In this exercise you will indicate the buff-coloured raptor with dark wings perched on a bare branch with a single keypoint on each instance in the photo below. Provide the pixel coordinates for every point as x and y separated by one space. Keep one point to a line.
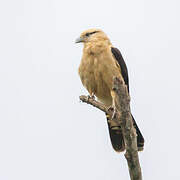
100 63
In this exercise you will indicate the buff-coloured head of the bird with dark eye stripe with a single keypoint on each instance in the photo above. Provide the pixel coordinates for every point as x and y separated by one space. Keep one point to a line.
92 36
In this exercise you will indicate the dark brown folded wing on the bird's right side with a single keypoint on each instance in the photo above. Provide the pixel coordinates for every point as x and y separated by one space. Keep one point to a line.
121 62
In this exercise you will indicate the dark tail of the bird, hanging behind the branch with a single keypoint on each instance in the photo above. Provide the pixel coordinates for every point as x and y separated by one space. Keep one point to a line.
117 139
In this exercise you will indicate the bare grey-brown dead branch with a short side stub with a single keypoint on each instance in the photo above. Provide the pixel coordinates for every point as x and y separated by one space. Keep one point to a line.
124 119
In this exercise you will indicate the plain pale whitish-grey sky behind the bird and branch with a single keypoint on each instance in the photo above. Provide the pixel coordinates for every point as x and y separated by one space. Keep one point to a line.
45 132
